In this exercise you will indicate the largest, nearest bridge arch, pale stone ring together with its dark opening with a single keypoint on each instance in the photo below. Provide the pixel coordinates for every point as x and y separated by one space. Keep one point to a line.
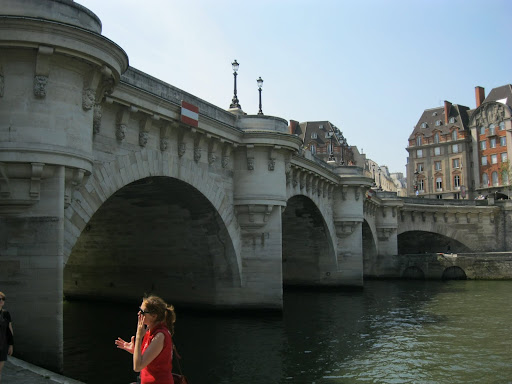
179 219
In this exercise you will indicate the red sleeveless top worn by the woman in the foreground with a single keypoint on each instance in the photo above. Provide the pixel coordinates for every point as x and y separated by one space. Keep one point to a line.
159 371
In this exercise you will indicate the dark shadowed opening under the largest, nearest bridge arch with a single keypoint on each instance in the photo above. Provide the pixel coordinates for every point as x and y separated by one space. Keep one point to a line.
155 235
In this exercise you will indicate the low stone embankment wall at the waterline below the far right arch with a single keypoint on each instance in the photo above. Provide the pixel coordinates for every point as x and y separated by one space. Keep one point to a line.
439 266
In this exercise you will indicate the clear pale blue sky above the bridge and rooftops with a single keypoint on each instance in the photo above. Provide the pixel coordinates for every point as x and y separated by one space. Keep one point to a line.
370 67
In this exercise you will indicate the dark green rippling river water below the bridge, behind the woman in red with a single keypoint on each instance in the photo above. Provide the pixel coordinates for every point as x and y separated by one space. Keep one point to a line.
389 332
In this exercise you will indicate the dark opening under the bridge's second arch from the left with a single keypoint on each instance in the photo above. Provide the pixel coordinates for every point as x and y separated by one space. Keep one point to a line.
308 252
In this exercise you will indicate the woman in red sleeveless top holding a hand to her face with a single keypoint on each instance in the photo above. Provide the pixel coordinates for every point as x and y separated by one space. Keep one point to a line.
152 345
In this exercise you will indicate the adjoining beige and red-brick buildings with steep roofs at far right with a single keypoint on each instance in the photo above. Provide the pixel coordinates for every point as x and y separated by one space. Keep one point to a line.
459 153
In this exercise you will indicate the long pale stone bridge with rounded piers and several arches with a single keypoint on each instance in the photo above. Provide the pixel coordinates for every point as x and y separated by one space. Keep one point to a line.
114 184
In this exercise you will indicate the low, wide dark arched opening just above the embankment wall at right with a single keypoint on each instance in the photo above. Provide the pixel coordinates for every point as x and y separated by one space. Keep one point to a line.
416 242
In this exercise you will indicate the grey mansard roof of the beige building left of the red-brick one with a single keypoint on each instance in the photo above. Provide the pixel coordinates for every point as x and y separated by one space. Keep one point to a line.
434 120
